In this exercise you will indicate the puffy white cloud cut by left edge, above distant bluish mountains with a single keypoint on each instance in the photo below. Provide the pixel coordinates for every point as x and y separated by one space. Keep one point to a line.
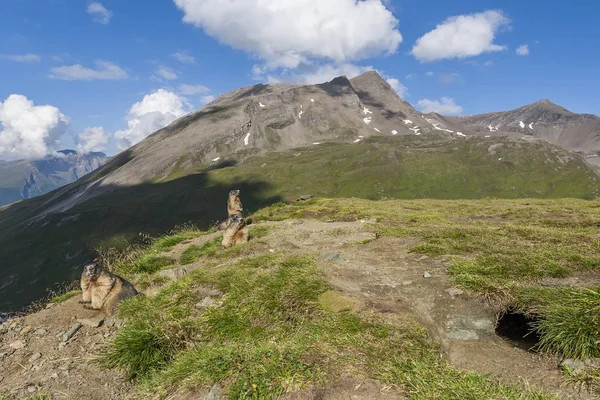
29 131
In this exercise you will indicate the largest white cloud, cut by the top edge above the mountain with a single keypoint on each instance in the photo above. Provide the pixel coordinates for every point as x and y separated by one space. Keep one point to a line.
289 33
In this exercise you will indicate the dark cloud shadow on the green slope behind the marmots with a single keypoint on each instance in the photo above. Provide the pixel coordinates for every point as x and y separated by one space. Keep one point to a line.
53 250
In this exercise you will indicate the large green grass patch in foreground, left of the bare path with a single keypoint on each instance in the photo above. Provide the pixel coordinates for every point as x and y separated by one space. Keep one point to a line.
268 336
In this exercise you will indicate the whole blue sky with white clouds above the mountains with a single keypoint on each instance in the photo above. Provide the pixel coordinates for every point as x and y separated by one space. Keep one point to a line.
94 62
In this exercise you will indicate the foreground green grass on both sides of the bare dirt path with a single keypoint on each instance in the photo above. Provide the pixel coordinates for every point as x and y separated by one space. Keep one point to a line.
273 330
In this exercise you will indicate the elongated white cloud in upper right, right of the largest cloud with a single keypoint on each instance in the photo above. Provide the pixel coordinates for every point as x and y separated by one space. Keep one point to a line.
461 37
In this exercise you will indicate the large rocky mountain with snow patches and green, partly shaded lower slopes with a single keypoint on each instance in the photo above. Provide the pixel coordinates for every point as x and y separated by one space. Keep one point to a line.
343 138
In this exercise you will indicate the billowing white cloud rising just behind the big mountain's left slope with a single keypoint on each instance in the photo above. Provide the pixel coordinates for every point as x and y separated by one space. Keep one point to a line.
153 112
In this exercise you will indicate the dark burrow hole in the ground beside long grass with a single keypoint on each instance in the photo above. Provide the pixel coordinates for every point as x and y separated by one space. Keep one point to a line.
517 329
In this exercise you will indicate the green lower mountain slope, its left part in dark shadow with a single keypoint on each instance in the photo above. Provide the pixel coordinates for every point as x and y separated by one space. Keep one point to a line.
42 252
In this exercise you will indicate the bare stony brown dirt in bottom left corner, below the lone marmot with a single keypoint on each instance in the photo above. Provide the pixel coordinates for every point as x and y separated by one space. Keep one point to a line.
35 359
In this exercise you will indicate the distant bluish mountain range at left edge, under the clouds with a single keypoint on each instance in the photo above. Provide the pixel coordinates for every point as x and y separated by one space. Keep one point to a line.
24 179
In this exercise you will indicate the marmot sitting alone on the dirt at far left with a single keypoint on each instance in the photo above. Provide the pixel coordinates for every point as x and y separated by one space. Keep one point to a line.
103 289
